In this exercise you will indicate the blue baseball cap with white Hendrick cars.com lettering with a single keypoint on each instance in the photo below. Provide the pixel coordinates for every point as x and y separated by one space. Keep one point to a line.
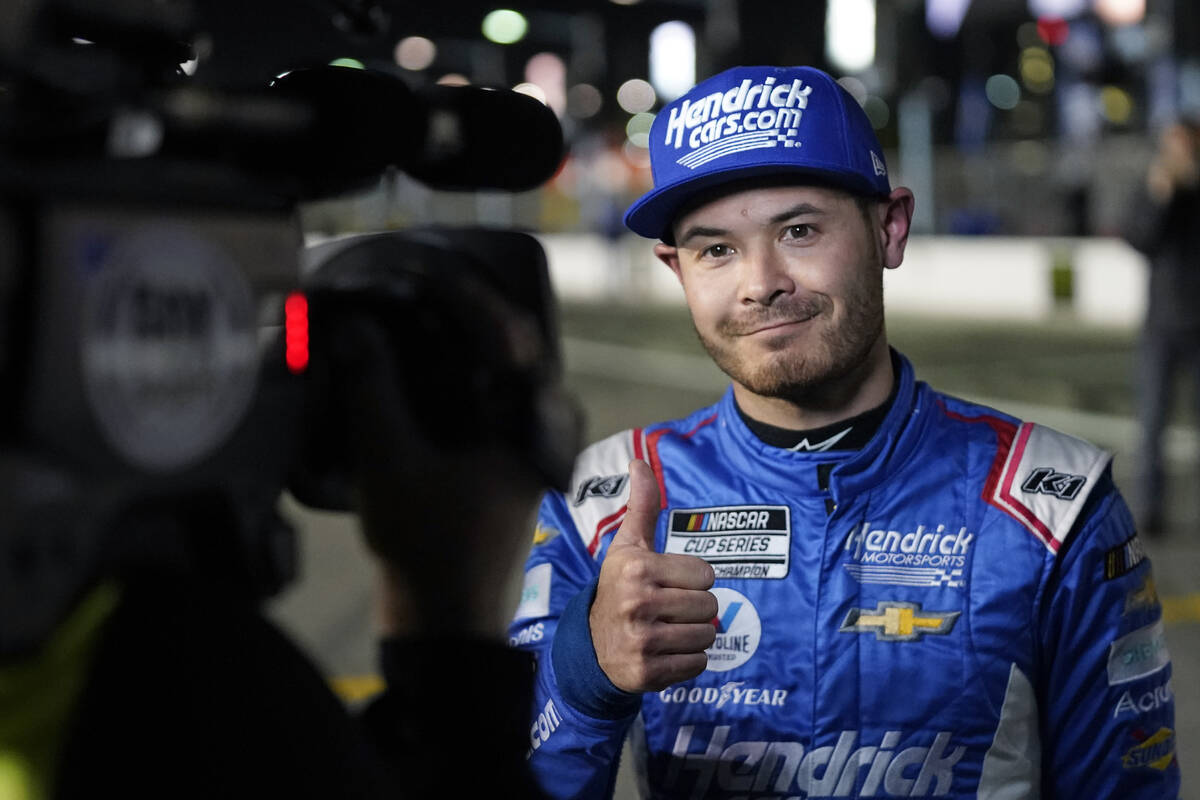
758 123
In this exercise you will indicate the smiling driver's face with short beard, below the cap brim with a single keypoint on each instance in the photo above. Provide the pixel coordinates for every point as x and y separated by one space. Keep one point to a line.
785 286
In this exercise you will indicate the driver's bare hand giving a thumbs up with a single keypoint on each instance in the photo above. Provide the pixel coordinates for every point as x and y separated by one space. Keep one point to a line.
652 618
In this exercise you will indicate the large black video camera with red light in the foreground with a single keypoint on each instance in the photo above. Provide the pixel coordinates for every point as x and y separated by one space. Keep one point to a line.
155 405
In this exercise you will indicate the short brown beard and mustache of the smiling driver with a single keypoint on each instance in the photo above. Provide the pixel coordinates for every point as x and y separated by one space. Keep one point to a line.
802 376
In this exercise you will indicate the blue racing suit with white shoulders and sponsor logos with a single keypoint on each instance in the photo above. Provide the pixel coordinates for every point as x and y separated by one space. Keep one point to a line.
962 609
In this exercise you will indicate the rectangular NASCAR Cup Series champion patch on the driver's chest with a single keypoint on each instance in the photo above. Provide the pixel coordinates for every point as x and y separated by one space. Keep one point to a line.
739 542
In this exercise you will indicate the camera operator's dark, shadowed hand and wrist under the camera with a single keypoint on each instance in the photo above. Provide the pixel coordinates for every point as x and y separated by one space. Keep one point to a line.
451 527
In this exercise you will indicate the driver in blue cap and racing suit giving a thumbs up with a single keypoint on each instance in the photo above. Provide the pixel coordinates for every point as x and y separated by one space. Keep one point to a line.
835 582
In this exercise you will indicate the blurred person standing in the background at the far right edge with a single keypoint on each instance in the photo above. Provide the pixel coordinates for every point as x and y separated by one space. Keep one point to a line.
1165 224
